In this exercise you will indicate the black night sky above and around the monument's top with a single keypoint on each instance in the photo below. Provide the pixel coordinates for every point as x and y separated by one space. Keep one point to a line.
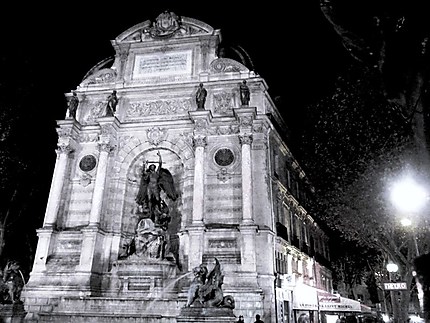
48 49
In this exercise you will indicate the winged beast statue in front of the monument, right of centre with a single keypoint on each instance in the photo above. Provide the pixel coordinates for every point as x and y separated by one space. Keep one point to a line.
207 289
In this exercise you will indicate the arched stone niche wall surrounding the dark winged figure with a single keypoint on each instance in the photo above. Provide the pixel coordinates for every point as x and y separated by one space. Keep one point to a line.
177 157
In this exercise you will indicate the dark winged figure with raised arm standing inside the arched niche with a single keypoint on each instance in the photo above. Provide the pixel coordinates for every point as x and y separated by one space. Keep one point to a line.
150 204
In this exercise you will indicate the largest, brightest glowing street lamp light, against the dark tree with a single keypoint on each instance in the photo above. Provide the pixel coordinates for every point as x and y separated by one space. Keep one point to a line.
408 196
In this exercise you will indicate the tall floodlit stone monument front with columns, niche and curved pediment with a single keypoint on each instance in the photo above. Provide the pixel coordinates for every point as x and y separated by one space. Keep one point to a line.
161 167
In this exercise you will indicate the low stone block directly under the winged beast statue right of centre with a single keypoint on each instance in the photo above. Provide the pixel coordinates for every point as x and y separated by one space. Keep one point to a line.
206 314
